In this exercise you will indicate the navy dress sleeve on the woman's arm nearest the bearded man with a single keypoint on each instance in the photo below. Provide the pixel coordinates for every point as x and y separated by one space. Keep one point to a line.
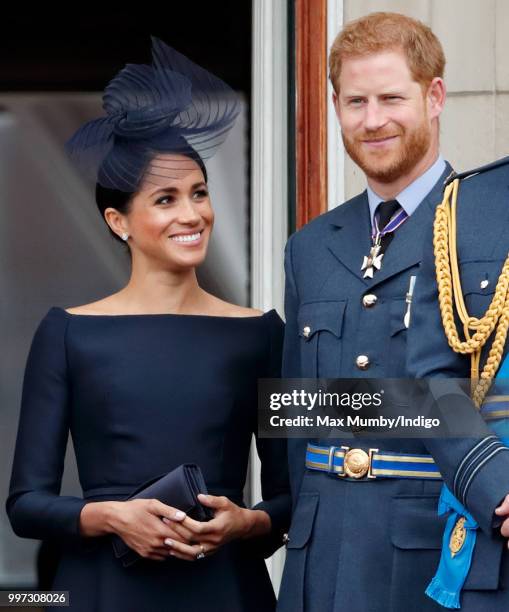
273 456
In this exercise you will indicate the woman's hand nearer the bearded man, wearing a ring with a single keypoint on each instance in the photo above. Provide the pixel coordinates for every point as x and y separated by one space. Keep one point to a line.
230 522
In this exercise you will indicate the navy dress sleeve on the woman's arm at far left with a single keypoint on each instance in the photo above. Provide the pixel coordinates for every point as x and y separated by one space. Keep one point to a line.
34 506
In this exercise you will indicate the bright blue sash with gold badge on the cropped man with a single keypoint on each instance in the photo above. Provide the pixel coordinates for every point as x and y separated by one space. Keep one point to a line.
461 528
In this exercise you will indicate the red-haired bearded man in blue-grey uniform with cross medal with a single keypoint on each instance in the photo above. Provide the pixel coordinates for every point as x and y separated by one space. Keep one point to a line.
359 543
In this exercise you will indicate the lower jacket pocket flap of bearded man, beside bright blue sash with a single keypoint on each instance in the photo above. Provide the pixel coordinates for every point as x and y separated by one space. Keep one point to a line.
415 523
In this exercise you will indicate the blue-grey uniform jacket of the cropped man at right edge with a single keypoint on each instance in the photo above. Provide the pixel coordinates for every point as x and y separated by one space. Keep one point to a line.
476 471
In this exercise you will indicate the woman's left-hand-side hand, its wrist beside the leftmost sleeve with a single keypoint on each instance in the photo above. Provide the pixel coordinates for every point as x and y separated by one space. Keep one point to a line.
138 522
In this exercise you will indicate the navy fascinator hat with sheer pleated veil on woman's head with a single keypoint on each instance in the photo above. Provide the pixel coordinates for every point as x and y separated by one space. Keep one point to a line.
160 119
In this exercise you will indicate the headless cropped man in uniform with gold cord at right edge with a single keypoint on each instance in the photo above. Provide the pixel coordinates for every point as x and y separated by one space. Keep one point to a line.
476 470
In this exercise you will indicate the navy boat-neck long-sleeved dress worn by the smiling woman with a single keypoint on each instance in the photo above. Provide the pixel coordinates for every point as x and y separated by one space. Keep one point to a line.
140 395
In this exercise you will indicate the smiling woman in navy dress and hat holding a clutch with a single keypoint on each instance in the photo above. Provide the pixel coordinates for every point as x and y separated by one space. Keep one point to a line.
159 374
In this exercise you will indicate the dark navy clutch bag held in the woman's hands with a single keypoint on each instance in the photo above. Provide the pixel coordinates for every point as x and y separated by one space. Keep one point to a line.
179 488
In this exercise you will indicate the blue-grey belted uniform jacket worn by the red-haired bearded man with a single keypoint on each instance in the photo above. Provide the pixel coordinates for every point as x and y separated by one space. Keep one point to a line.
365 545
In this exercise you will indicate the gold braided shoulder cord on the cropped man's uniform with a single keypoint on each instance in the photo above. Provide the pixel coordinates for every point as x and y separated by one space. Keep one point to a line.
476 331
